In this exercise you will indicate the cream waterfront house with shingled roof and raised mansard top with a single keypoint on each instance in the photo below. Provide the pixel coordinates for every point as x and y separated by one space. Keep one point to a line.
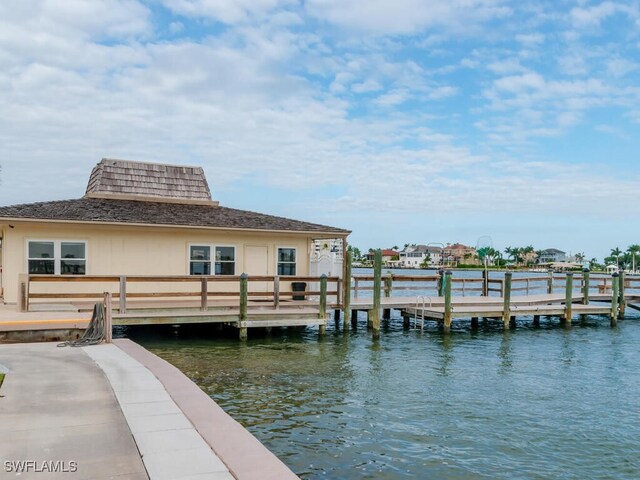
141 218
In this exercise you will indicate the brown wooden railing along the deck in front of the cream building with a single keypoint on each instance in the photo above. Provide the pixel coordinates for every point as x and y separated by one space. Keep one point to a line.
272 289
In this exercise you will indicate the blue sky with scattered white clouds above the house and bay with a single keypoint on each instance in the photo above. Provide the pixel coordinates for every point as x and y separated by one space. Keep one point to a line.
406 121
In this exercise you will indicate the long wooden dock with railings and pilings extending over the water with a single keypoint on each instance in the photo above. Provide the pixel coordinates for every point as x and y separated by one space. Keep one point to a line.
248 302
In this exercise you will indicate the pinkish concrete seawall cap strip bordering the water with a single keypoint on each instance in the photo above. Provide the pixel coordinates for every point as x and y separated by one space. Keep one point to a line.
243 454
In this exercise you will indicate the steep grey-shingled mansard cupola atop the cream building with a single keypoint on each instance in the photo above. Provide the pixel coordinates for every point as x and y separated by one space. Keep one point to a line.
126 179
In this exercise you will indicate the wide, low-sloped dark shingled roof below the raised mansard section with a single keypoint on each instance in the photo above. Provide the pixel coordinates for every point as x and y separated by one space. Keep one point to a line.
100 210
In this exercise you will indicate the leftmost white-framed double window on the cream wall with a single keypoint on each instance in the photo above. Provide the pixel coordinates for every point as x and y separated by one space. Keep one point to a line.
56 257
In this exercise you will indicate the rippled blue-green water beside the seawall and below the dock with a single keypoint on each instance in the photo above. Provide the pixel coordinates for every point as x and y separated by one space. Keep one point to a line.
534 402
